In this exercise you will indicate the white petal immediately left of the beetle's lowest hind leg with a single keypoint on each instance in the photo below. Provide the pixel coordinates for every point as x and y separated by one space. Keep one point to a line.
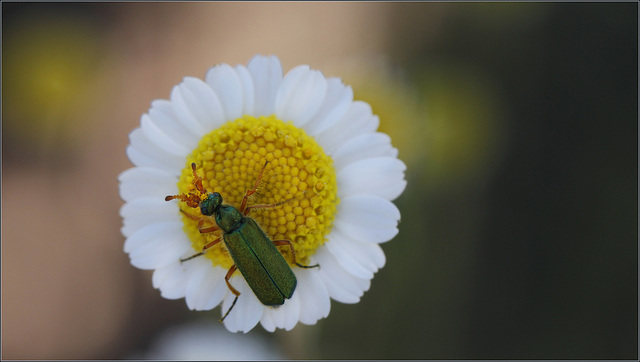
206 286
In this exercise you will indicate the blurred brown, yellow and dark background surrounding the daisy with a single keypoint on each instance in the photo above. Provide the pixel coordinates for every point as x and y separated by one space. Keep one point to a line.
518 123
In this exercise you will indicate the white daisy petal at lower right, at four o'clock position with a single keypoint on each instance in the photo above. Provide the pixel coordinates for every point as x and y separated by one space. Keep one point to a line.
358 258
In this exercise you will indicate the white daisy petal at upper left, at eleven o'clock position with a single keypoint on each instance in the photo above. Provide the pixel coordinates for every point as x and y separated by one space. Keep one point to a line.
197 106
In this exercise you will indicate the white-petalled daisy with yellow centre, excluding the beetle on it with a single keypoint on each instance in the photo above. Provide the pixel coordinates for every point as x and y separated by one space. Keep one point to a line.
302 143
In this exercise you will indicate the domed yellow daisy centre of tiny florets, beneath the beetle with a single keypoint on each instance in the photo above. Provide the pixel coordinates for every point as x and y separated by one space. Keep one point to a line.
229 160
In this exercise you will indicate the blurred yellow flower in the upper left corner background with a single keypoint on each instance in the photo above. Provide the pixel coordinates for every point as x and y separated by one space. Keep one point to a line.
49 69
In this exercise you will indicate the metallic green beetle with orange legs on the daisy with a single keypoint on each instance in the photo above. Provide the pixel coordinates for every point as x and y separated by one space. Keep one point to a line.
253 253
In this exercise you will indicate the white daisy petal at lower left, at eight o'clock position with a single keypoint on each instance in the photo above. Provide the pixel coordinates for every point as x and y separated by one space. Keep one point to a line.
157 245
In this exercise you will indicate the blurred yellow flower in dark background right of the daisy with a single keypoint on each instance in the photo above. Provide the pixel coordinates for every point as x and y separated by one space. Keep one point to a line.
465 128
